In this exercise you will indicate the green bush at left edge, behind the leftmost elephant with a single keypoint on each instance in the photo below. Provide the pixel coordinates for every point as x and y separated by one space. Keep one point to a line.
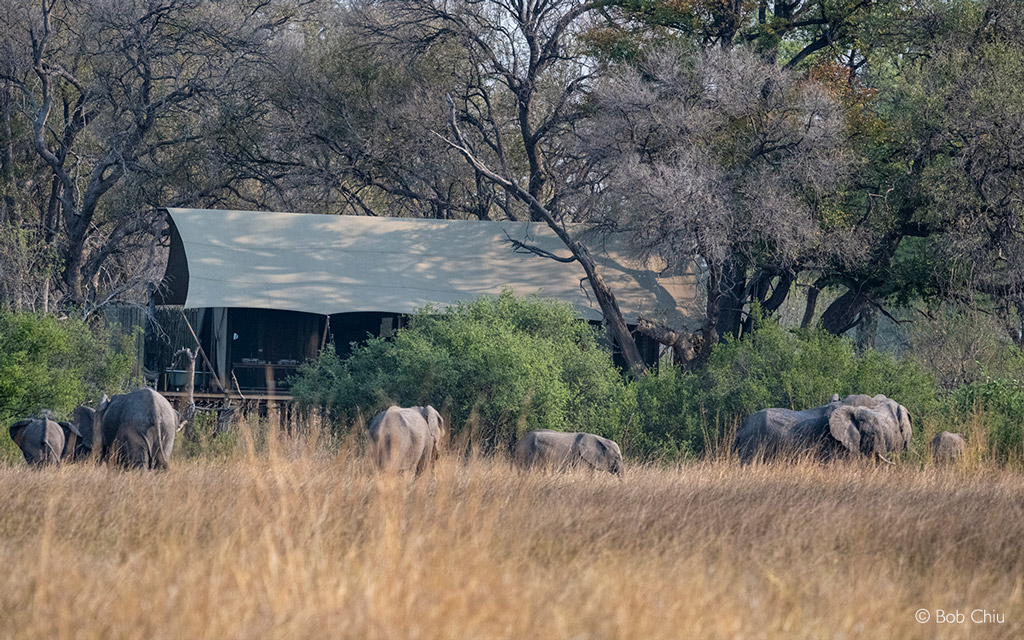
57 364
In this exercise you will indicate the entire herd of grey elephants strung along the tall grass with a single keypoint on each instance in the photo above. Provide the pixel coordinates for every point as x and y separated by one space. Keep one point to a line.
138 431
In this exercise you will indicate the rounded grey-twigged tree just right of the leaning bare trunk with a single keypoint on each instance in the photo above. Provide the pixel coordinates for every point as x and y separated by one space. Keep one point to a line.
722 159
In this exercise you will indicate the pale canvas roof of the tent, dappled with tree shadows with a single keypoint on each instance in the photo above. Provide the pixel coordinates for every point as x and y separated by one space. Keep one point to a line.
332 265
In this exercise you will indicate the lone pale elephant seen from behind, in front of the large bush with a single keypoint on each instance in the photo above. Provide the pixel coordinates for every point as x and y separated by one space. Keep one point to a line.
406 440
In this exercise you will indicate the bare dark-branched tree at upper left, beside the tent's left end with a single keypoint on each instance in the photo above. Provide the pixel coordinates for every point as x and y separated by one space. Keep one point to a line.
126 104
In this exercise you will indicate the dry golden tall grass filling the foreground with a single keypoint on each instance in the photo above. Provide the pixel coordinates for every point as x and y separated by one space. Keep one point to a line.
302 543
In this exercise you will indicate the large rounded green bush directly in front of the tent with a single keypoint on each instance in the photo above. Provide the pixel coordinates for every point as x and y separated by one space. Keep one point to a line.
499 366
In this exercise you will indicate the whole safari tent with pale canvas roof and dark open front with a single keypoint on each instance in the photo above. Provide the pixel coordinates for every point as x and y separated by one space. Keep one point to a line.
265 292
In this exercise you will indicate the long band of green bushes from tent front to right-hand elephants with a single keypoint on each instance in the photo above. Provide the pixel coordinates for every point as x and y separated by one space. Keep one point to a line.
508 365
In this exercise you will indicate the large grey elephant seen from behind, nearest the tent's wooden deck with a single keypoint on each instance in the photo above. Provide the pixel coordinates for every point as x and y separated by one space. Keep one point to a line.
138 430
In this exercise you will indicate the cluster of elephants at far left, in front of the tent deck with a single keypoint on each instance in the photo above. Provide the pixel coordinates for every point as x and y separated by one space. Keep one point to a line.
135 430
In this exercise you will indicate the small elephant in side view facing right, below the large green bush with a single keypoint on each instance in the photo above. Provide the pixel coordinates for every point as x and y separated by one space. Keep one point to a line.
566 450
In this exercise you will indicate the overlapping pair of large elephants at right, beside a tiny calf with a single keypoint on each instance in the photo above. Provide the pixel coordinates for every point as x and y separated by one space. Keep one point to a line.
857 425
